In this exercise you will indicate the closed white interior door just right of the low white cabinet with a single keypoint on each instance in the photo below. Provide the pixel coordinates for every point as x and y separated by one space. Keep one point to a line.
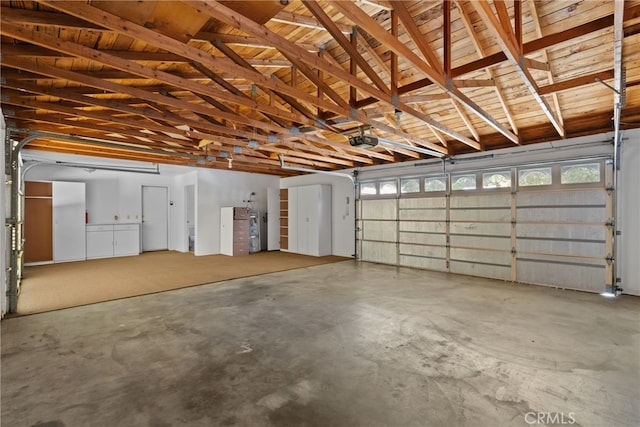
155 219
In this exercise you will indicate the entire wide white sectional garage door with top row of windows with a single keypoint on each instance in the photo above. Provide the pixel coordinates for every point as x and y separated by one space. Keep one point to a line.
539 232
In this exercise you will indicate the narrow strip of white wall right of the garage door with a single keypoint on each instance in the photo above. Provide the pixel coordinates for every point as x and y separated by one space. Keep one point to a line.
628 249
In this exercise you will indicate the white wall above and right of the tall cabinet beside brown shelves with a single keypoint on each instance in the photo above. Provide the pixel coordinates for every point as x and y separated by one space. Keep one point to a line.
343 208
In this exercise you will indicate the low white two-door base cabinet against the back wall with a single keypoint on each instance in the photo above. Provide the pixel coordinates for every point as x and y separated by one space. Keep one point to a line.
109 240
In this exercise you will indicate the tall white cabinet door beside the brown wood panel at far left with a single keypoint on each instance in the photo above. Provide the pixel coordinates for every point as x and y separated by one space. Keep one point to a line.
68 221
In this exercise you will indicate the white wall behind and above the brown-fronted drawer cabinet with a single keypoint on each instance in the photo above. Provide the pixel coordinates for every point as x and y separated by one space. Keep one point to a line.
220 188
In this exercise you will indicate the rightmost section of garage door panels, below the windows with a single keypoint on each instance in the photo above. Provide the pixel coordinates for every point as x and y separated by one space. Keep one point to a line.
561 238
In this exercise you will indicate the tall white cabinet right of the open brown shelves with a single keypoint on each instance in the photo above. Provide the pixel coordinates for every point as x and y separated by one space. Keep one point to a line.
310 220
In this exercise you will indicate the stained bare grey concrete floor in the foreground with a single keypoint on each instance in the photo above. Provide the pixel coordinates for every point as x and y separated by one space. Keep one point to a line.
345 344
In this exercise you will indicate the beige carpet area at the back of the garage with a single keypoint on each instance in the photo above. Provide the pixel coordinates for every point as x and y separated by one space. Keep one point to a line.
55 286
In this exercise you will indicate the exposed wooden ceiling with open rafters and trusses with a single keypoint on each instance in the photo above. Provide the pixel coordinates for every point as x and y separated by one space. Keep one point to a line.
237 84
